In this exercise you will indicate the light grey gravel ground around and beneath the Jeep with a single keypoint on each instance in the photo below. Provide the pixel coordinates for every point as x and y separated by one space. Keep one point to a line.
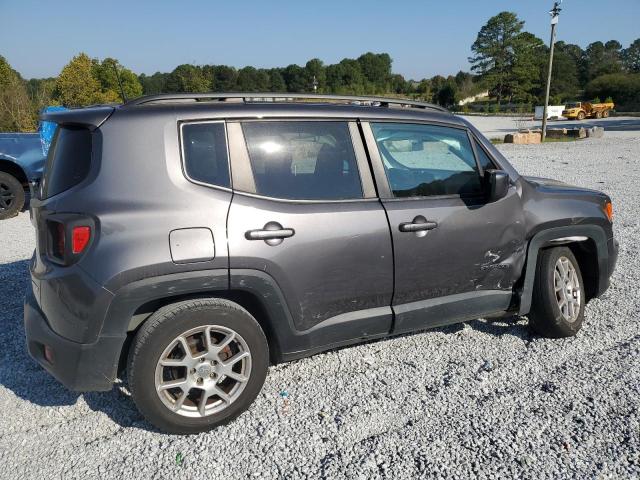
481 399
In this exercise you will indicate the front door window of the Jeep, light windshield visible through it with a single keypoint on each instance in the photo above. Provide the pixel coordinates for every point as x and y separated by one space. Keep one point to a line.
427 160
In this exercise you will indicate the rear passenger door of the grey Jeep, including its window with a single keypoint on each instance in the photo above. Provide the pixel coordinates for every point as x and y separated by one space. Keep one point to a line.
305 212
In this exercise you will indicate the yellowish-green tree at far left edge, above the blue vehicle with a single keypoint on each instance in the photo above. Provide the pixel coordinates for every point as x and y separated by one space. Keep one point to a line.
16 112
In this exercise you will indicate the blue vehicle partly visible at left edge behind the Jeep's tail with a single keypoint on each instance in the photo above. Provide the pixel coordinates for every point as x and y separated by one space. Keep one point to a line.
21 162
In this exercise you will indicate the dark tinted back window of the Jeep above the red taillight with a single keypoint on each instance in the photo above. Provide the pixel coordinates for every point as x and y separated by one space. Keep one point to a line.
68 160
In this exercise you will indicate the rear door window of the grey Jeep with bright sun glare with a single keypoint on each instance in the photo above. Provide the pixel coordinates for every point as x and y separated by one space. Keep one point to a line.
303 160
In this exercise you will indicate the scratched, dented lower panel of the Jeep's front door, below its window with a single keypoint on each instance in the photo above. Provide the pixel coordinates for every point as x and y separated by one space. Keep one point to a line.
477 246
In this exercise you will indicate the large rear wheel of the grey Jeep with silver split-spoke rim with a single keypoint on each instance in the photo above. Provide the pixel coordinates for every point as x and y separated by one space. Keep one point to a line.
197 364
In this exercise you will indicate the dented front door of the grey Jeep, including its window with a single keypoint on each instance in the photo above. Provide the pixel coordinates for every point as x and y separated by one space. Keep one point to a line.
457 255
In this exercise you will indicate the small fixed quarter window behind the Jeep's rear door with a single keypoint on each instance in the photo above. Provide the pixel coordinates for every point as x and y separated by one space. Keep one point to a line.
205 153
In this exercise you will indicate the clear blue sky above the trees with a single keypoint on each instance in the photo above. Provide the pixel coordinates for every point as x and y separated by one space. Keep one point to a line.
424 38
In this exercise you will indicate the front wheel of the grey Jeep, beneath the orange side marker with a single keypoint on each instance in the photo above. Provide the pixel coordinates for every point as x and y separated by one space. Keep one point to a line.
557 308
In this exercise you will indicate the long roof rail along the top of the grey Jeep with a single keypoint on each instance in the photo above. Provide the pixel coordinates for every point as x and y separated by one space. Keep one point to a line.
268 96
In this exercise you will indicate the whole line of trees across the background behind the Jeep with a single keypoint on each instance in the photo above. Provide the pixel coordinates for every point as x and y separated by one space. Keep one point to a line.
508 61
